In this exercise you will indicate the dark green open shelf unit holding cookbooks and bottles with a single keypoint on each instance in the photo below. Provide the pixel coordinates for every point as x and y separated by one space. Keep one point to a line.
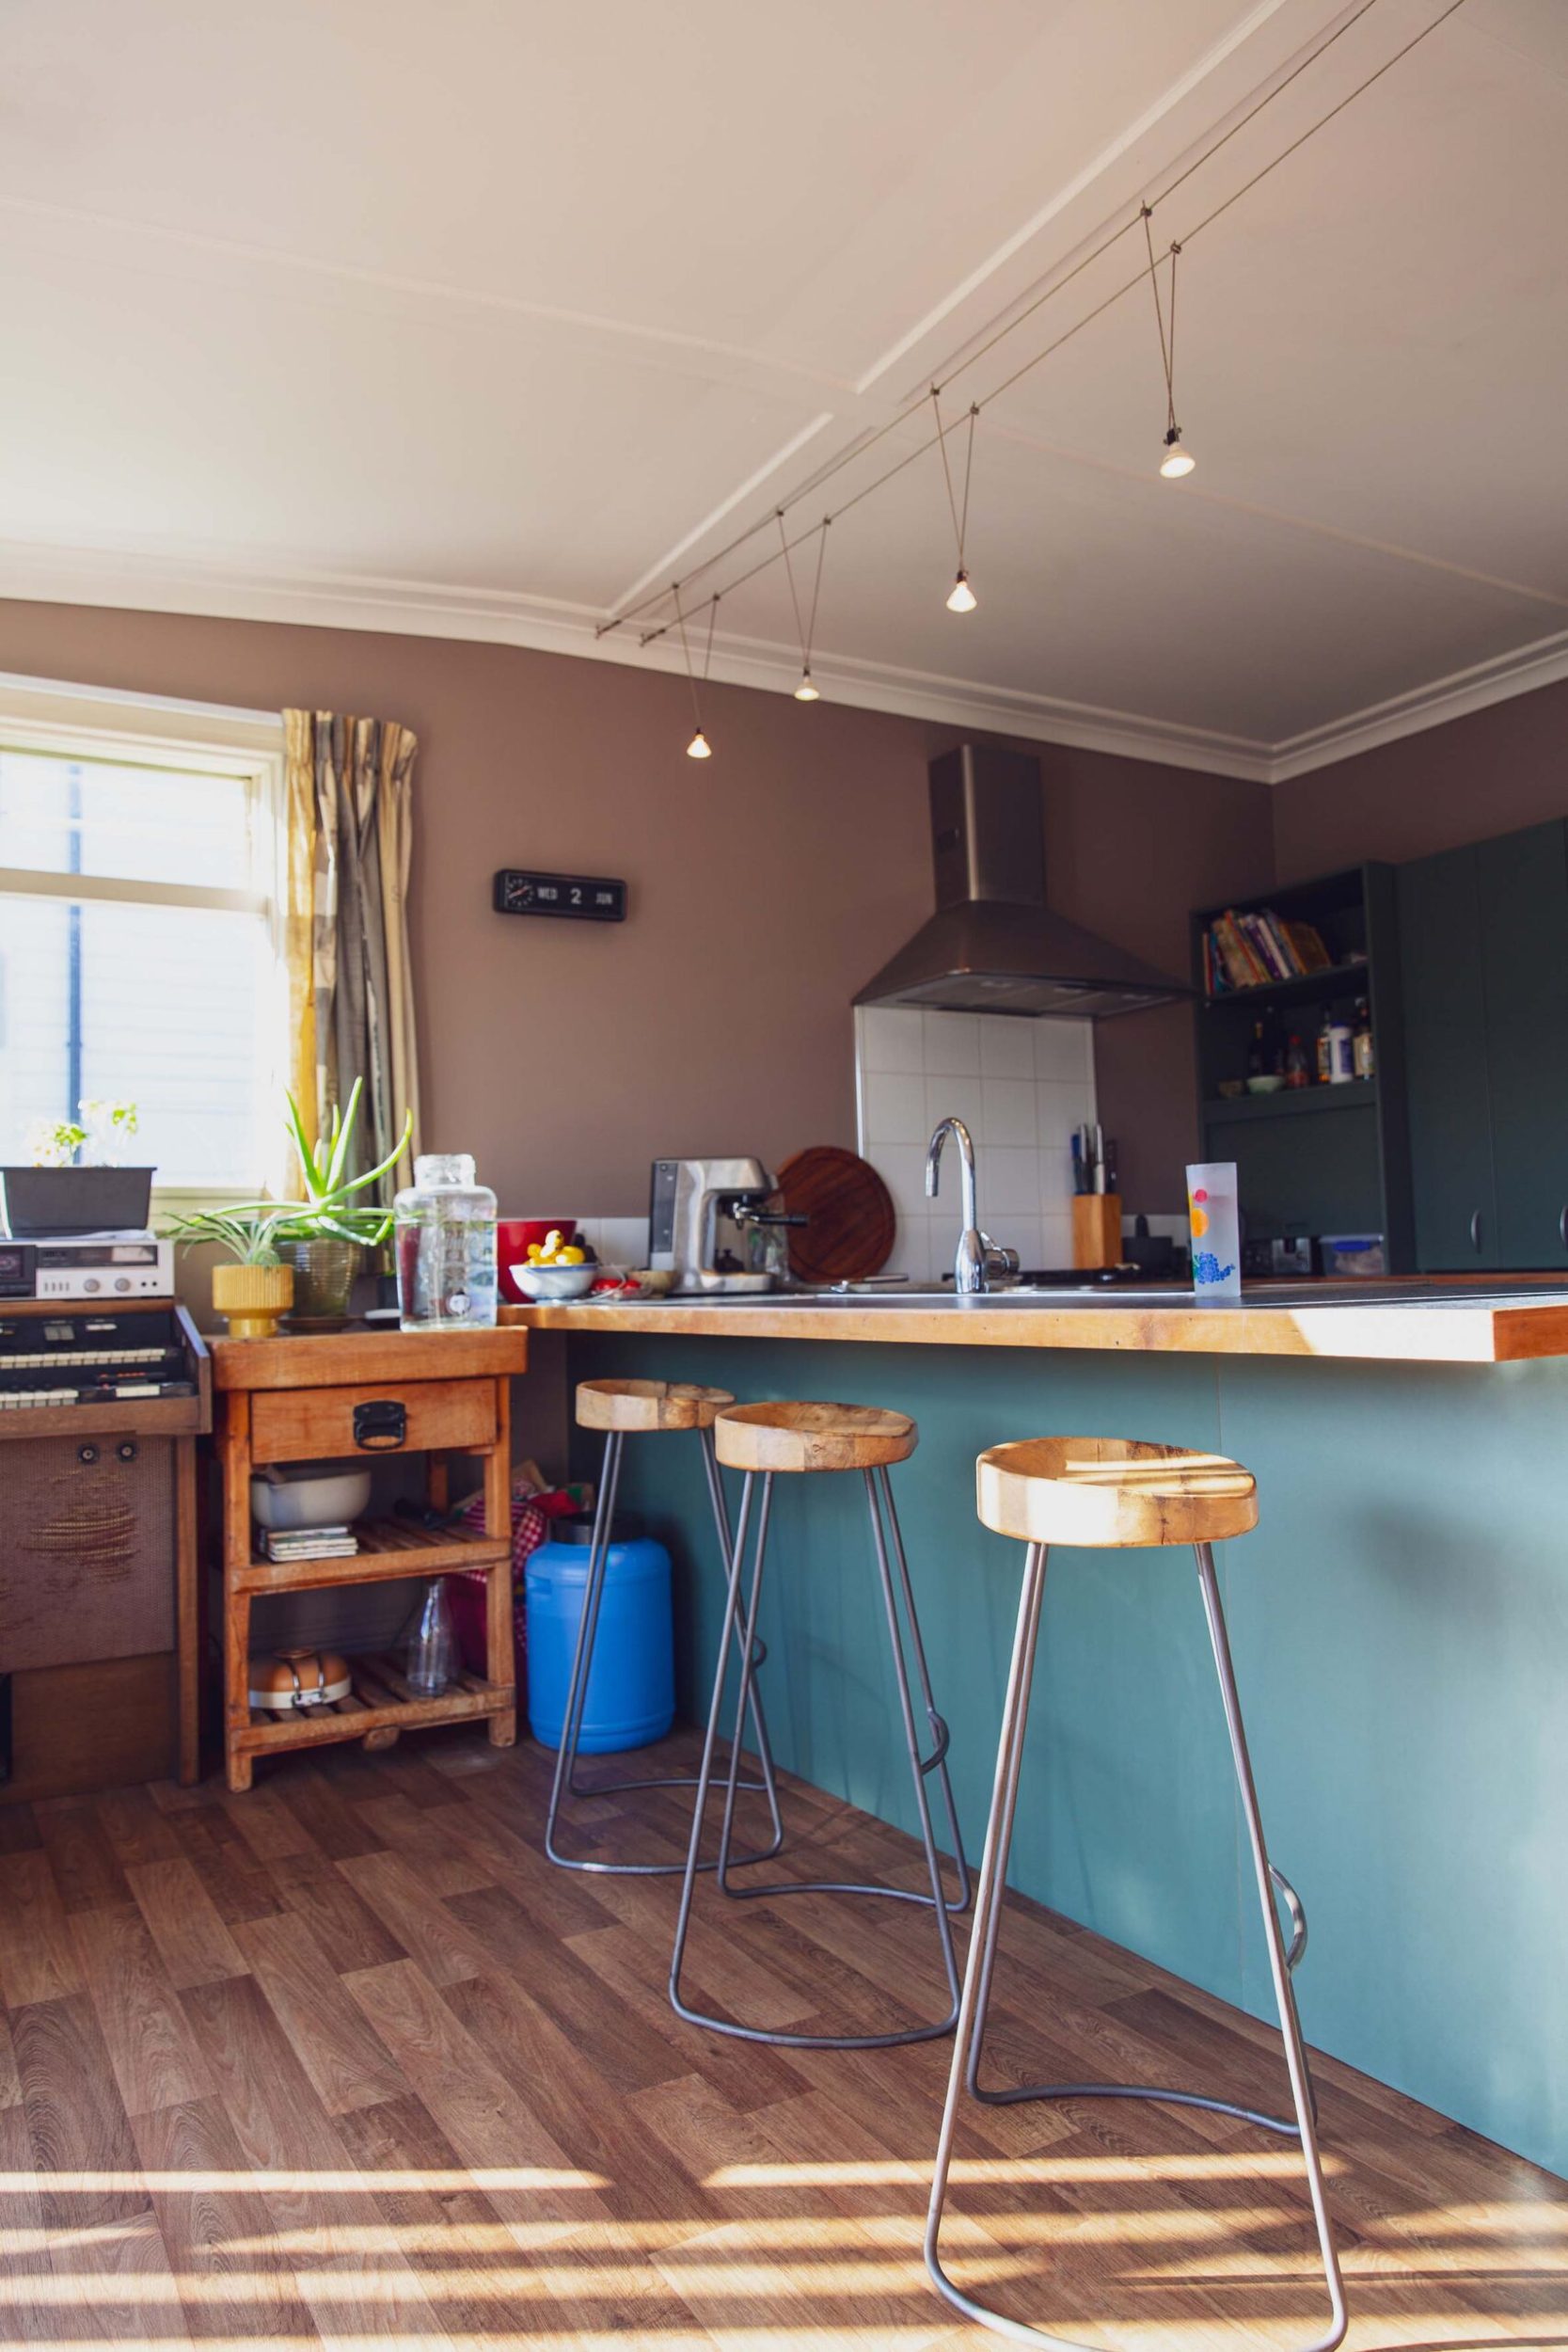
1273 973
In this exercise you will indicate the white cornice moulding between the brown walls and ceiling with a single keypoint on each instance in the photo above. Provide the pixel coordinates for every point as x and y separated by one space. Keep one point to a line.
549 627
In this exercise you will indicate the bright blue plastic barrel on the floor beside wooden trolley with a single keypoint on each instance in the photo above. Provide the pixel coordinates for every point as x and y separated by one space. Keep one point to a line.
631 1688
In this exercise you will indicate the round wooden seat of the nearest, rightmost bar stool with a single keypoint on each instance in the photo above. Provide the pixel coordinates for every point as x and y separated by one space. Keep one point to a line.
1113 1492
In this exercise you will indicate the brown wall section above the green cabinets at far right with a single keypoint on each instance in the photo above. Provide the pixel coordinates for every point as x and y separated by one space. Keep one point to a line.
1463 782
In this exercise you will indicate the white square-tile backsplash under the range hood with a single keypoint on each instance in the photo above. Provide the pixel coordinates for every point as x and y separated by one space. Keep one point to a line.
1019 1085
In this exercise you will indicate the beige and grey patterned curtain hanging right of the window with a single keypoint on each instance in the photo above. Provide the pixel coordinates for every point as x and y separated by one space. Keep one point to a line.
347 926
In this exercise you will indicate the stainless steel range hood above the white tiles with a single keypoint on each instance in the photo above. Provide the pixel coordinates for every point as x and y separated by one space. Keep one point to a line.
993 944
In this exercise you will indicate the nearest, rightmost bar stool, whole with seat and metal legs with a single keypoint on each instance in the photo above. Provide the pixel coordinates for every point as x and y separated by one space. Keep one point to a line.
1115 1492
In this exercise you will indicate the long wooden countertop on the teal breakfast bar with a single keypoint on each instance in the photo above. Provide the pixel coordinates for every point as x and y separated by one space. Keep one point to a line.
1400 1323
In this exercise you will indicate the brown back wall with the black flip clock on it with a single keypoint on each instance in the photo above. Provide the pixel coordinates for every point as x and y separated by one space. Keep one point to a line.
768 886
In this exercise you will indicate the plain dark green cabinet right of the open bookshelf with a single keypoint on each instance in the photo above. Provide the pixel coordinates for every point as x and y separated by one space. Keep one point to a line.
1485 958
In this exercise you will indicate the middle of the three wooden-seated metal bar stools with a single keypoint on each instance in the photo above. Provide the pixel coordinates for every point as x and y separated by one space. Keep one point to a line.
765 1443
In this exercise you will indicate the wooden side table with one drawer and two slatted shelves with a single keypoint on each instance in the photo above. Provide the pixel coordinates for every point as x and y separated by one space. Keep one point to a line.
368 1394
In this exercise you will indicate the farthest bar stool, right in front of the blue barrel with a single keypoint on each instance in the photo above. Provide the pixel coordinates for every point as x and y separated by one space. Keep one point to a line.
634 1408
